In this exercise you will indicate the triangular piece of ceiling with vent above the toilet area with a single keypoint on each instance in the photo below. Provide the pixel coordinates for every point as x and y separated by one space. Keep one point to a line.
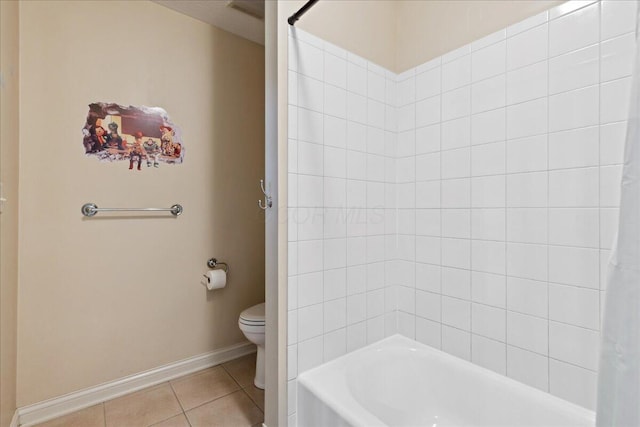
224 14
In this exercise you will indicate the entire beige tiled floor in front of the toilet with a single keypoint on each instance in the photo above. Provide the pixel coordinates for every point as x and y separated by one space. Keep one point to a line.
223 395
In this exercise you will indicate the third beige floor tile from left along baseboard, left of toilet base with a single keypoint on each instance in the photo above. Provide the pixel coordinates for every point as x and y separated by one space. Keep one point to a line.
202 387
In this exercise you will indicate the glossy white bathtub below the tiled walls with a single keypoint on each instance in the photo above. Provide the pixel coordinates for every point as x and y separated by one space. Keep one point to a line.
400 382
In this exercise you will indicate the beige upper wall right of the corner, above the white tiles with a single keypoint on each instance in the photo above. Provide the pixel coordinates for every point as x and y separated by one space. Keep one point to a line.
427 29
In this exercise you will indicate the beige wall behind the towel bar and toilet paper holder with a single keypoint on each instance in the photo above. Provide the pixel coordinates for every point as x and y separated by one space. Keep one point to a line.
107 297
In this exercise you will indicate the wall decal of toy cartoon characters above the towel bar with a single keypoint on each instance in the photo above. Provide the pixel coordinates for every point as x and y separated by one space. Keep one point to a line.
135 135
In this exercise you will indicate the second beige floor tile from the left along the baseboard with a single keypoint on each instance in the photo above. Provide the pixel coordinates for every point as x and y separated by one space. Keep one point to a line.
142 408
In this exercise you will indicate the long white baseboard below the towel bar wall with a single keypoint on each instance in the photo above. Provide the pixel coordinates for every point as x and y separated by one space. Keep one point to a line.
53 408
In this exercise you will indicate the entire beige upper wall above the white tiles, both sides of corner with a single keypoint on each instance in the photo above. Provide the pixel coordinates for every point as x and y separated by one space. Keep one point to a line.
401 34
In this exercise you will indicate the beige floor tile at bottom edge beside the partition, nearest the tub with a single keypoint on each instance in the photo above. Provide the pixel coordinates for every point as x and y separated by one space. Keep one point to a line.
234 410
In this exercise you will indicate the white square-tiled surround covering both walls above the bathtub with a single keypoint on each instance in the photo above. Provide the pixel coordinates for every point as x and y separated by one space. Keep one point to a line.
468 203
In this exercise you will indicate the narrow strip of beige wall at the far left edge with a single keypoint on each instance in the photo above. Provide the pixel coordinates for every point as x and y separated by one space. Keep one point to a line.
9 217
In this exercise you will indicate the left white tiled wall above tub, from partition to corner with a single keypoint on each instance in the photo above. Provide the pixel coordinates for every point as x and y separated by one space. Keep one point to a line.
342 204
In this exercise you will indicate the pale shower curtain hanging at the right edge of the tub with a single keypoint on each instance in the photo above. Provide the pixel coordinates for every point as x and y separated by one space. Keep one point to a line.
619 373
